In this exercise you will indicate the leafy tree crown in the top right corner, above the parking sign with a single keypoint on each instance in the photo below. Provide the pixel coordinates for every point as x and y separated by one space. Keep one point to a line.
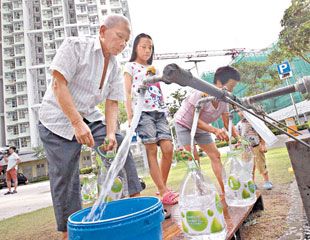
294 39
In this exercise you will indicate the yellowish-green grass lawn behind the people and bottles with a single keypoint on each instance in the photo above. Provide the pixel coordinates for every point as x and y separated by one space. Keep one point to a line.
41 224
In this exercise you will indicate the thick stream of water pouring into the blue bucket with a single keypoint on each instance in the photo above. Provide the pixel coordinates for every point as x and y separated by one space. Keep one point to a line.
118 163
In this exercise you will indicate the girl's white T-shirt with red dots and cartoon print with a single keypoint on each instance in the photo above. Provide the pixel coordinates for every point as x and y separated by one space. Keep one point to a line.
153 100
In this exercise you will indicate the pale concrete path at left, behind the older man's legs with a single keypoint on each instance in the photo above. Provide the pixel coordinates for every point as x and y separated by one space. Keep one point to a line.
28 198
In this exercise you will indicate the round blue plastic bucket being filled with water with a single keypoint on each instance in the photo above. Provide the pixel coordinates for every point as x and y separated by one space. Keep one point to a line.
126 219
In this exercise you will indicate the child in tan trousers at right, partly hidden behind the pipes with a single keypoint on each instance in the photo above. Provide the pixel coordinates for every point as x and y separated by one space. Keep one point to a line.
245 129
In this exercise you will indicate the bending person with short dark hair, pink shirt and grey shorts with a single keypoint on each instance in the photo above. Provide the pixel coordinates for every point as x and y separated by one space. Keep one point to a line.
210 111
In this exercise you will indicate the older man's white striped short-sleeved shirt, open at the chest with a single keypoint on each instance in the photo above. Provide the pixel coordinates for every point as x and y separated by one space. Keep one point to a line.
81 62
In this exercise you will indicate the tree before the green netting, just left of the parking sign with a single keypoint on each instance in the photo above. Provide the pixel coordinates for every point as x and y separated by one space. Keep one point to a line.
259 76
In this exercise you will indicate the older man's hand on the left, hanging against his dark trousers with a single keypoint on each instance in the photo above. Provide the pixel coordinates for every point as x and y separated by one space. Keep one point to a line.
83 134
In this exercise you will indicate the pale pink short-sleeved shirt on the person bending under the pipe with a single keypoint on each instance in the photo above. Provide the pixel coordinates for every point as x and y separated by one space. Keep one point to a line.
184 116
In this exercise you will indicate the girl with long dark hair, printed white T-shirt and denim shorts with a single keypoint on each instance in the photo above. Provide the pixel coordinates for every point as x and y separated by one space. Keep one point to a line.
153 127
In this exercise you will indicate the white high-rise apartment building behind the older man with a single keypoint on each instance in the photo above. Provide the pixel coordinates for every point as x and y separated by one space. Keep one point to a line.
31 32
